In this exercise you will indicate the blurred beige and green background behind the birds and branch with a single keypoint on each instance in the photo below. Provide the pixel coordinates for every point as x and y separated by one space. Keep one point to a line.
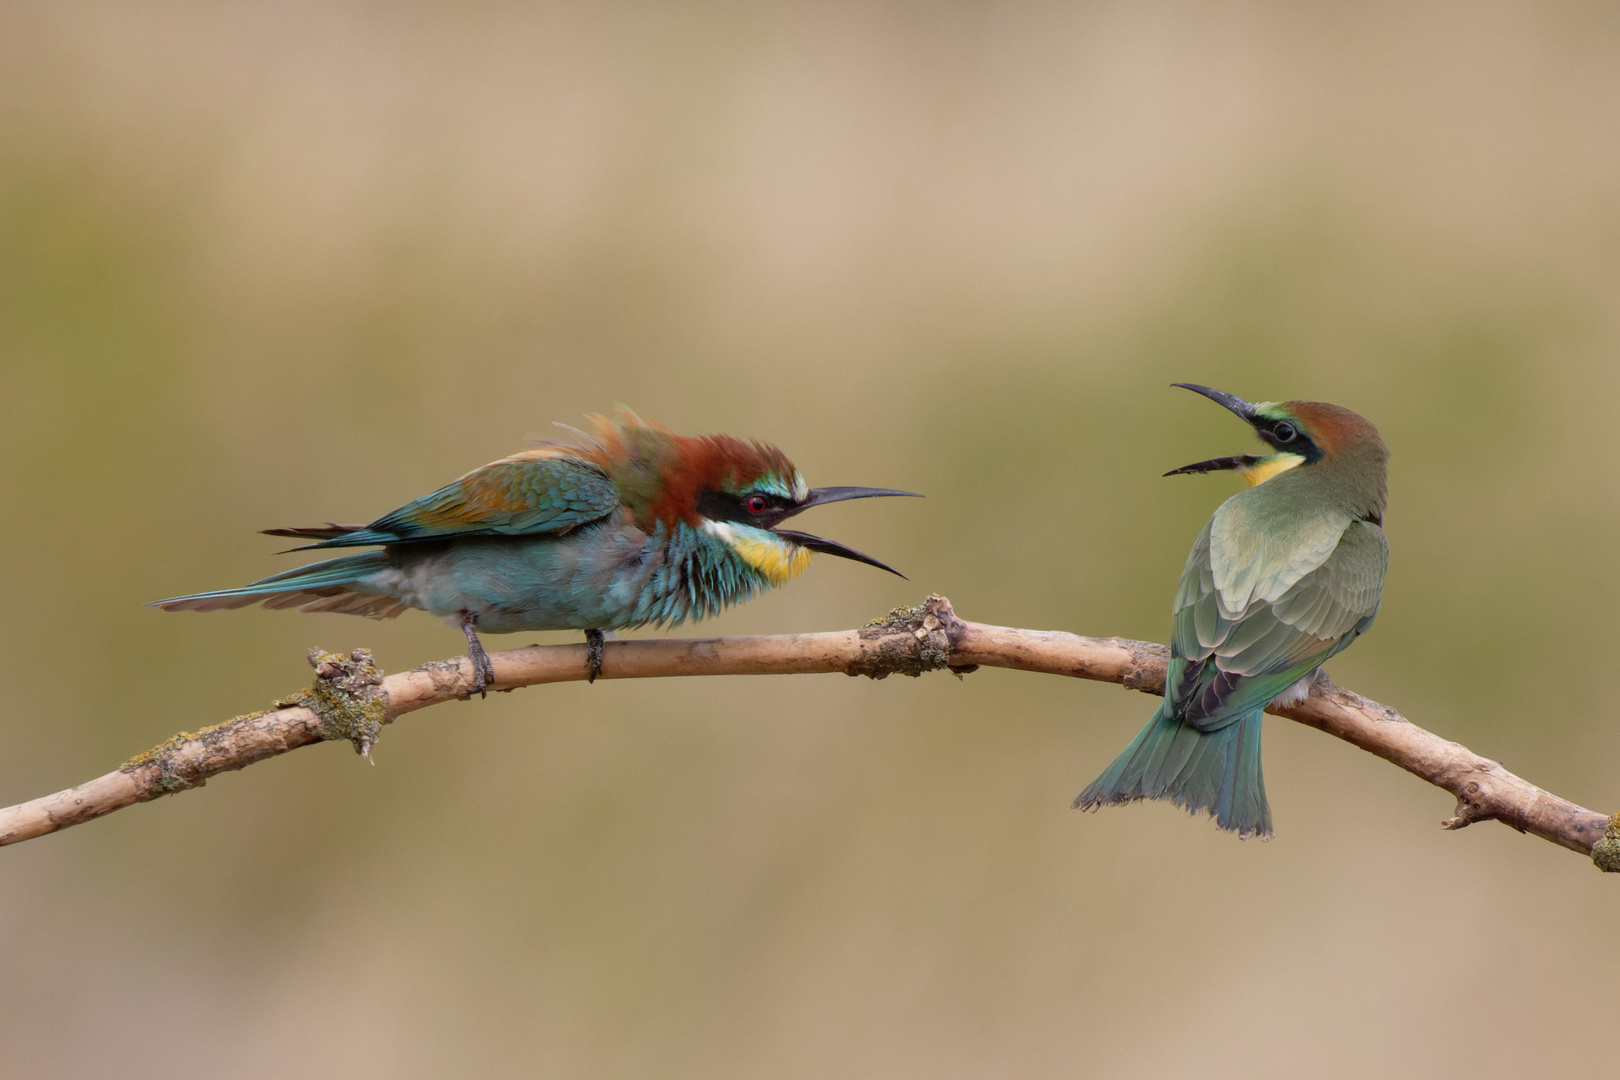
273 265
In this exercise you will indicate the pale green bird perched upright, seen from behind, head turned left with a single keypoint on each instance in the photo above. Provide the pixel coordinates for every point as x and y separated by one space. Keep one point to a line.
1285 576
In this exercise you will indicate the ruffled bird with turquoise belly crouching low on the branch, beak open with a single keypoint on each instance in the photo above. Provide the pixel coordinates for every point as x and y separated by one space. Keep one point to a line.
639 527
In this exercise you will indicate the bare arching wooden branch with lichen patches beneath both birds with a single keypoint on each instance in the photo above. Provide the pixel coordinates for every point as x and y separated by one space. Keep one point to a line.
352 700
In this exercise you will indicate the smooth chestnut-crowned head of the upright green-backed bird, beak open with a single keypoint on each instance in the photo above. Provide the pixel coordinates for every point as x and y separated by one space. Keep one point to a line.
1329 440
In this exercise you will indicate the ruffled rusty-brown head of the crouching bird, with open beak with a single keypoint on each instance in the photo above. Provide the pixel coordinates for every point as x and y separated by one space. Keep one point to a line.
731 490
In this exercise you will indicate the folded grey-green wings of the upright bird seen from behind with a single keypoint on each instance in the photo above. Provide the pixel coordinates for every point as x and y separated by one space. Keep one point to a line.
1294 616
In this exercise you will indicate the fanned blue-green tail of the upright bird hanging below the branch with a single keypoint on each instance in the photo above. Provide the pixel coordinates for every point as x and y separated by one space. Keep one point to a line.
1200 772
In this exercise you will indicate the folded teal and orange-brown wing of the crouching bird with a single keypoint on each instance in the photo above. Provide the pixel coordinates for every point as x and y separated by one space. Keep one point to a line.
540 491
